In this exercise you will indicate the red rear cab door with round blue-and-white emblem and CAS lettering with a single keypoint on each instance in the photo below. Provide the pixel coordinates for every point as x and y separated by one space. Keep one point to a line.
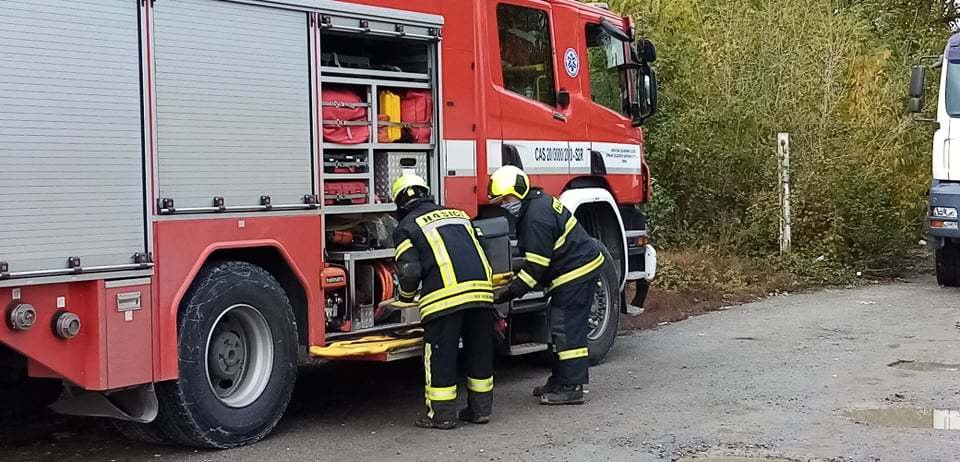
535 79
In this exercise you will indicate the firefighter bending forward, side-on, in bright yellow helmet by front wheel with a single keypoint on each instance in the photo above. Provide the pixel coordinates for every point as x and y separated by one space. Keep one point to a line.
563 258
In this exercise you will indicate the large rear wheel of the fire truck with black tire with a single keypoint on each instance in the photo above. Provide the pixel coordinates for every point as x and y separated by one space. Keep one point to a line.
234 310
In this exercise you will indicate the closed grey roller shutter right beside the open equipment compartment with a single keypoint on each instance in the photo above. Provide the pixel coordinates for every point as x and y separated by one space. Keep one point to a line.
233 103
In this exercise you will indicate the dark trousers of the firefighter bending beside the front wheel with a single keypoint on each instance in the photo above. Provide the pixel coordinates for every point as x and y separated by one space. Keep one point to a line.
569 315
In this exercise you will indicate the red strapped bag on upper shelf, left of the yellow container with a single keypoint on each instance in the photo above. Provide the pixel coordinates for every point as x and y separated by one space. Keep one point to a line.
344 116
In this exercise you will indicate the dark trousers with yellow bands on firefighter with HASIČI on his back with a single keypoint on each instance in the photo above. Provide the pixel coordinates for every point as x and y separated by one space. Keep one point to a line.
441 341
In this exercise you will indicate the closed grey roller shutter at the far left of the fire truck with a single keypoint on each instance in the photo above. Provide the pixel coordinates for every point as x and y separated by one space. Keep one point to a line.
71 159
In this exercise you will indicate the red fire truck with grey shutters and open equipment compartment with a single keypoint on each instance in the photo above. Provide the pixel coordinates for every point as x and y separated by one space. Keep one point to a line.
194 191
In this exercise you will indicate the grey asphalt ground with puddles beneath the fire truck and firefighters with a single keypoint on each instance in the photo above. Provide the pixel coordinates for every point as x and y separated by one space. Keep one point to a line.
787 377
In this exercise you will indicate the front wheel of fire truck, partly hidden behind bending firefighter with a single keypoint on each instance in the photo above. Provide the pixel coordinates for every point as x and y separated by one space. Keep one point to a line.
601 338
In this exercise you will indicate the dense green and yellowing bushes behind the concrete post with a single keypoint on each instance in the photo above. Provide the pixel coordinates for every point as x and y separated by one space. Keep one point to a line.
833 74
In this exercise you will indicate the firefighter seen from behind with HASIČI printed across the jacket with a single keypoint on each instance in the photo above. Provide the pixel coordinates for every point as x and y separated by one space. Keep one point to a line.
437 252
